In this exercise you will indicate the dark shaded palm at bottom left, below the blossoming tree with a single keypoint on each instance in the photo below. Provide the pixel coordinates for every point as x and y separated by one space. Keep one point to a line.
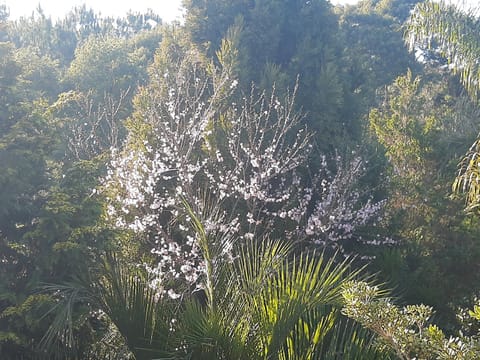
135 322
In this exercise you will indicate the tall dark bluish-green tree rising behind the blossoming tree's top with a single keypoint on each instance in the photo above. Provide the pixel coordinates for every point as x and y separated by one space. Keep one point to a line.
278 43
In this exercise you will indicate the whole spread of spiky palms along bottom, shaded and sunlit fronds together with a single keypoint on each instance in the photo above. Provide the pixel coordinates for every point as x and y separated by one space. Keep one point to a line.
267 302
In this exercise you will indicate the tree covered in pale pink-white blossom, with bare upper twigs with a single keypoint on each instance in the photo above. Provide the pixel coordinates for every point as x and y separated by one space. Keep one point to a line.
237 160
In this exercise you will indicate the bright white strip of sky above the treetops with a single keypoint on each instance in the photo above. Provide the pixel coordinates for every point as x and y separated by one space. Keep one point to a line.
167 9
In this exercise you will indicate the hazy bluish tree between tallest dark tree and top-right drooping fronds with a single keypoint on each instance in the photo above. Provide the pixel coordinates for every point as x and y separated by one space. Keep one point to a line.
374 53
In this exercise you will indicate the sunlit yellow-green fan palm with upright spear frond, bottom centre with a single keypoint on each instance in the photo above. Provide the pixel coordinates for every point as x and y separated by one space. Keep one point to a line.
269 304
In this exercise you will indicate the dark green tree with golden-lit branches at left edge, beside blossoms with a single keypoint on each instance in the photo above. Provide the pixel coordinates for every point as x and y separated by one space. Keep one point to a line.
50 229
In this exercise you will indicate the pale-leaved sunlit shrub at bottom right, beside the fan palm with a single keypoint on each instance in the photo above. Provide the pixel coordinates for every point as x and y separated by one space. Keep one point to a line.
407 331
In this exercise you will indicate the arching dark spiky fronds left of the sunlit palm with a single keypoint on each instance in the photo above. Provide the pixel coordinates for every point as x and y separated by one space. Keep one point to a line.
125 297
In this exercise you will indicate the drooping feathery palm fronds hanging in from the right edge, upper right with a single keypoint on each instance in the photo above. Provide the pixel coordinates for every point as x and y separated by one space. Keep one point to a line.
454 34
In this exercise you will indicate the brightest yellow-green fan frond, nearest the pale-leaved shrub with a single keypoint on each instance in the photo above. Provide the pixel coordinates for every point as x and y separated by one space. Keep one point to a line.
307 285
